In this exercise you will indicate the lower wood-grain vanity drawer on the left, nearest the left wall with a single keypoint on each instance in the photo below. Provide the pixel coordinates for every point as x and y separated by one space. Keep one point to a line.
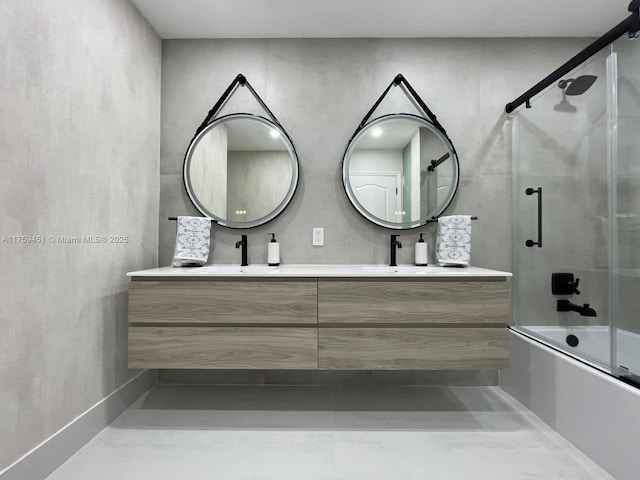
223 347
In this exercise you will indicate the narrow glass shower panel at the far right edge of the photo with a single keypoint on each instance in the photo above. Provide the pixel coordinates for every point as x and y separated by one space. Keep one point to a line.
626 205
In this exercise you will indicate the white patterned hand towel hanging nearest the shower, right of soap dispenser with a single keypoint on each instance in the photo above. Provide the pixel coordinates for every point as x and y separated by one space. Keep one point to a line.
453 244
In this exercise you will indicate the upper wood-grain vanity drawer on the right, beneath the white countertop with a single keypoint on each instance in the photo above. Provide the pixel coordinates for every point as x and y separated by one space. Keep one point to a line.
413 301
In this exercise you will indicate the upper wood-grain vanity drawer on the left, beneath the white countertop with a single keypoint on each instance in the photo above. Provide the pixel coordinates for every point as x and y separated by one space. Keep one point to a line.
224 302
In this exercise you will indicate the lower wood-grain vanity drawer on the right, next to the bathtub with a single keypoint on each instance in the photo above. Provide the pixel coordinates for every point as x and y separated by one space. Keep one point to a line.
412 348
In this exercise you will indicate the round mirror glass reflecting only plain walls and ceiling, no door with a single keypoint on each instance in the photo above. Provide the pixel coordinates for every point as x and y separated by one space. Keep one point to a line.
241 170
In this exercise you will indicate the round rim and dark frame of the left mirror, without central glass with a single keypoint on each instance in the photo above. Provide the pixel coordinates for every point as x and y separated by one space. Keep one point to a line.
295 171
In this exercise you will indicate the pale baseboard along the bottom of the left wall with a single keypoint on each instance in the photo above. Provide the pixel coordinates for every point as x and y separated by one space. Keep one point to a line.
57 449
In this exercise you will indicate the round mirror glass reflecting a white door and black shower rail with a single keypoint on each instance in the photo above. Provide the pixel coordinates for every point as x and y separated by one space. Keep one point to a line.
400 171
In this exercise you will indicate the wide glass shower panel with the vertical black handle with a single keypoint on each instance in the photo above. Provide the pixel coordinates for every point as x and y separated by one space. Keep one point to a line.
561 146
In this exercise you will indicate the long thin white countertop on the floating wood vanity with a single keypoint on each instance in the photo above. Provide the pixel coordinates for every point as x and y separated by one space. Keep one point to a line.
371 271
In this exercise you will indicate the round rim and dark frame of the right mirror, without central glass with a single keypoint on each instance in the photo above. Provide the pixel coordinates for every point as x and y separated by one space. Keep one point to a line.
361 131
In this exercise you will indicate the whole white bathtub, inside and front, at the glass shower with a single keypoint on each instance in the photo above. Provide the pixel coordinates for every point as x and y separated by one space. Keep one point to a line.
589 407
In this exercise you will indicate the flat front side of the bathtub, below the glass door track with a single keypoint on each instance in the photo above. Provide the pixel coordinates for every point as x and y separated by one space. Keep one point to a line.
594 411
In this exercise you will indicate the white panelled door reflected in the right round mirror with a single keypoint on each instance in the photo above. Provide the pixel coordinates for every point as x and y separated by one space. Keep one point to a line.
379 194
